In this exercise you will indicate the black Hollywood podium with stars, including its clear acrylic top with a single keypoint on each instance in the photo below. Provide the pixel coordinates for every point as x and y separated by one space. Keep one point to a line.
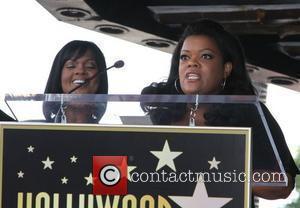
46 164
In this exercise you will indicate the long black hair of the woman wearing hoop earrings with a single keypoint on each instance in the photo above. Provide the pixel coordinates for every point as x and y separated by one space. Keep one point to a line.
237 83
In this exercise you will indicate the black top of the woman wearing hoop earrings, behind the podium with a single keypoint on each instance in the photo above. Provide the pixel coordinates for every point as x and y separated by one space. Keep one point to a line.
236 115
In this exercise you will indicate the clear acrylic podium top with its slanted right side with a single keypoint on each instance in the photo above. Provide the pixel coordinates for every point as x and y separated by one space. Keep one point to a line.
175 110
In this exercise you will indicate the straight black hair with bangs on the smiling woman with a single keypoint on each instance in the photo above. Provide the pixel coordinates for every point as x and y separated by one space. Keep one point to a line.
74 50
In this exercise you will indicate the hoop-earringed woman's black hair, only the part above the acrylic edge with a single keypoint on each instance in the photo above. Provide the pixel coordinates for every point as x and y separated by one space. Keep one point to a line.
237 83
